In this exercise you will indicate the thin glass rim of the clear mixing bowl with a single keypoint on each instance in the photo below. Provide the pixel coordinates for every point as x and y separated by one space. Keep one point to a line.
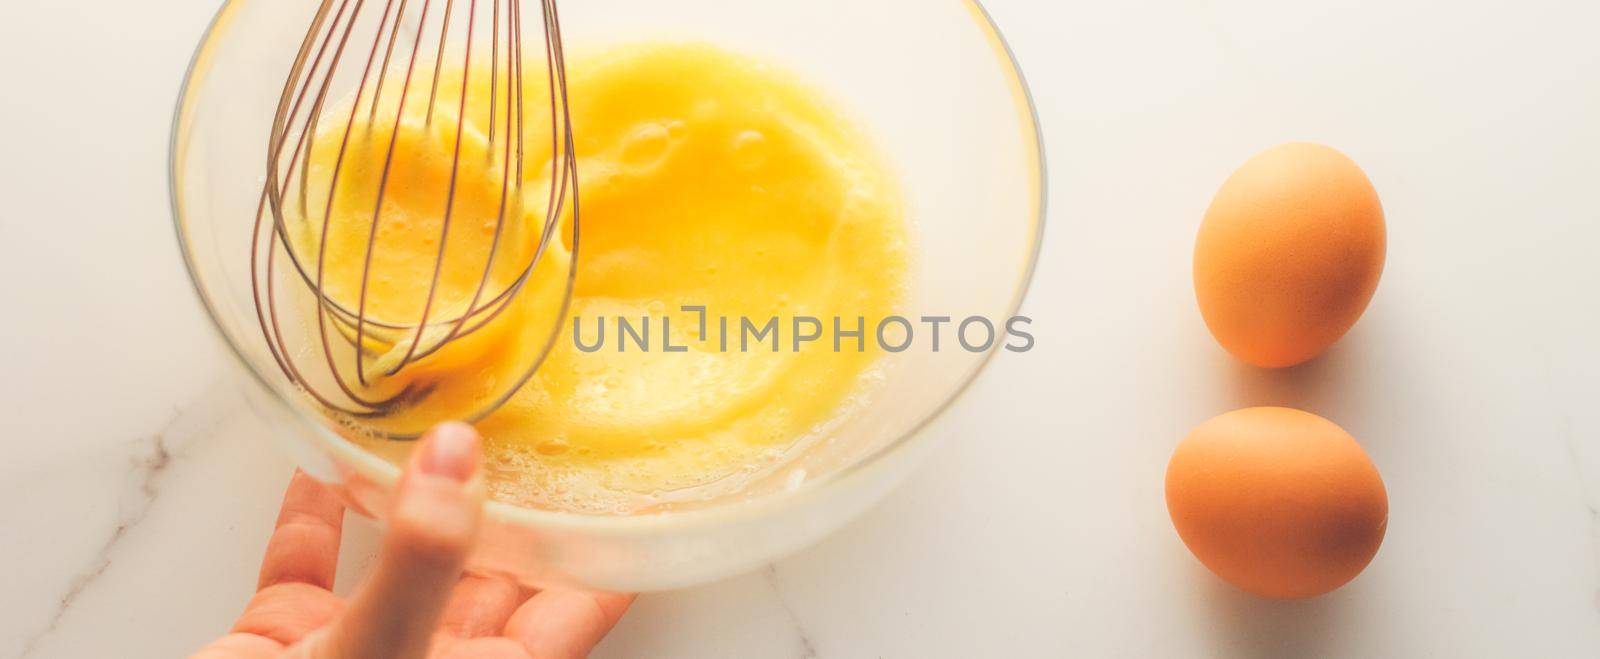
385 474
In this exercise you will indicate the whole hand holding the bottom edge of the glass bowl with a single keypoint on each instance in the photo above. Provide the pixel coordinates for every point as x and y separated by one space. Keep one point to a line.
417 602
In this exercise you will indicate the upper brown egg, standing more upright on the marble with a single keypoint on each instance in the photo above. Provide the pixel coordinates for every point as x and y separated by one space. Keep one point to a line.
1289 255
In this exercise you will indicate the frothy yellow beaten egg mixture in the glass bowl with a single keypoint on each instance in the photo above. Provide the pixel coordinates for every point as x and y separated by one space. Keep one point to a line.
708 182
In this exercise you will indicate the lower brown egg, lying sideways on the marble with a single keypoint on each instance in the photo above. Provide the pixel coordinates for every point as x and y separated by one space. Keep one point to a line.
1278 501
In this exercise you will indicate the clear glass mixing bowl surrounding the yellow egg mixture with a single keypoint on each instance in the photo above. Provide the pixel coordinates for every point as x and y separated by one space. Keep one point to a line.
932 82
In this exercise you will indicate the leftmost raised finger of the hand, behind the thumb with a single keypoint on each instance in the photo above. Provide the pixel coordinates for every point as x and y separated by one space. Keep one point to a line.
305 546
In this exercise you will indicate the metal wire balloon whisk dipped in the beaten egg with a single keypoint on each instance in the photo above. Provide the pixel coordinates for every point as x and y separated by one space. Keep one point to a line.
366 367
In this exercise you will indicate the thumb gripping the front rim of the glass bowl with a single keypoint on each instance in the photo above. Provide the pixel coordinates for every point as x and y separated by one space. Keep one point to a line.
433 525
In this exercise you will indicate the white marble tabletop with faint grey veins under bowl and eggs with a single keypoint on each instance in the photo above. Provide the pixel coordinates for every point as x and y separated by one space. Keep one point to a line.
137 492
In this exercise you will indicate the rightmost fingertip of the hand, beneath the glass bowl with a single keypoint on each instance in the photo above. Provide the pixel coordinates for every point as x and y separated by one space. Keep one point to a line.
564 623
